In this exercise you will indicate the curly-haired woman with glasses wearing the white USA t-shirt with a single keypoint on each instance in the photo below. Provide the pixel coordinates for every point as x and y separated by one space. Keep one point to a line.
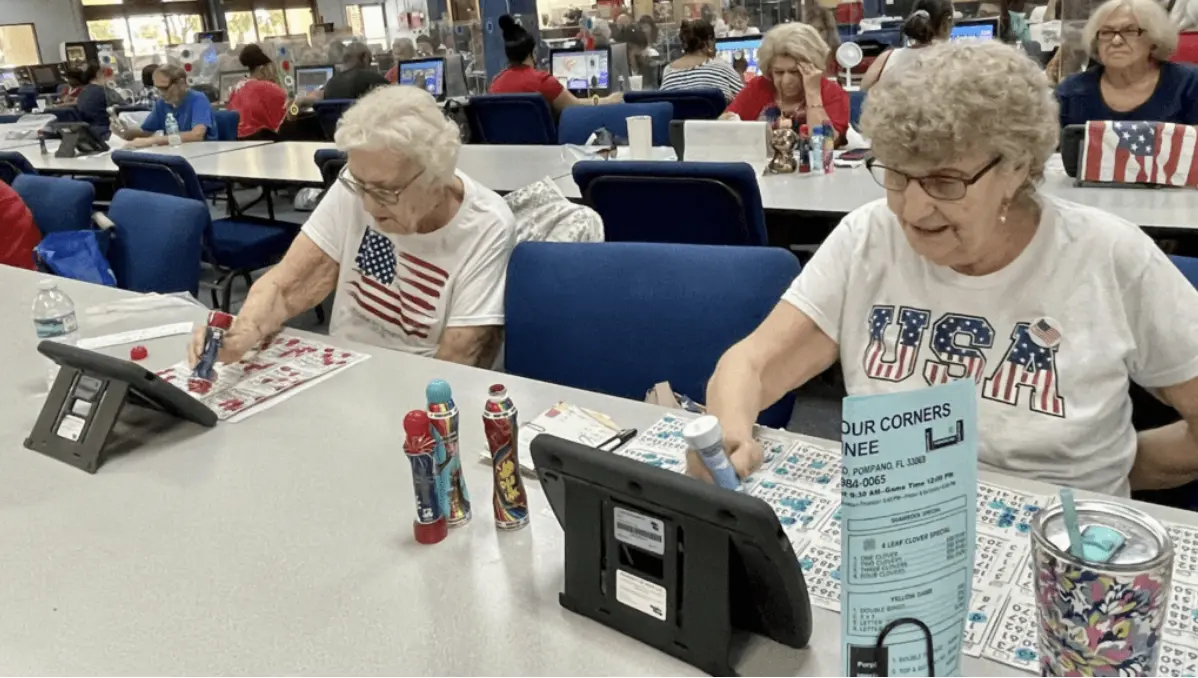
967 271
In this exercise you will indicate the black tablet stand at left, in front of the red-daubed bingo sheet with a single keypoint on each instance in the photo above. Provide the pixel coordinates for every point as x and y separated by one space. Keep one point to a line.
87 401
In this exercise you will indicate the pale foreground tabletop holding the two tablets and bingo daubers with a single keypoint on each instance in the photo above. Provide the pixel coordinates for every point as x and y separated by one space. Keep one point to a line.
283 544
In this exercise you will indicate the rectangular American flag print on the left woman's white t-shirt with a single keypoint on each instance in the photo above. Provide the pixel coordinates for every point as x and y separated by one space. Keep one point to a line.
401 290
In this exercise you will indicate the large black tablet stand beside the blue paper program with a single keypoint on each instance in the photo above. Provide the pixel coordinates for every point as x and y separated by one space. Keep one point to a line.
706 565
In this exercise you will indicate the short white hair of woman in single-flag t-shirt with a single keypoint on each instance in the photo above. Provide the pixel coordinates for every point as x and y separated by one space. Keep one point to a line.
408 122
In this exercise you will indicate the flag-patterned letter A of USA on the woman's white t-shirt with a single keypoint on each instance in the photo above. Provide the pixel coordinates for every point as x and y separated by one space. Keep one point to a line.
1030 366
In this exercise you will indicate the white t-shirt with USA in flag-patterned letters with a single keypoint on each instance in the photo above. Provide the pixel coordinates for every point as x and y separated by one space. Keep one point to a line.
1052 340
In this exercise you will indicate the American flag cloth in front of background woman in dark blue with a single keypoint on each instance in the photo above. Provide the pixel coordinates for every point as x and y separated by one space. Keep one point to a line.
1141 153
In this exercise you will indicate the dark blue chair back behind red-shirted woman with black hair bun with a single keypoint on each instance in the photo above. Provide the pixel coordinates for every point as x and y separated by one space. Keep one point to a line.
511 119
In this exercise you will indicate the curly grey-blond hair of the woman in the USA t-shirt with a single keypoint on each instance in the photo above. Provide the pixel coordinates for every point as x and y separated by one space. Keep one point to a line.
961 98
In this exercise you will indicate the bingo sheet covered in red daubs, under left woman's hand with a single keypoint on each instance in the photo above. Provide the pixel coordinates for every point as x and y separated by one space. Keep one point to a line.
277 372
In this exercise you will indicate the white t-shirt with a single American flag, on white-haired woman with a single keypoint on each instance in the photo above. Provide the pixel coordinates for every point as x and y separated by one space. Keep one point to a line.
402 292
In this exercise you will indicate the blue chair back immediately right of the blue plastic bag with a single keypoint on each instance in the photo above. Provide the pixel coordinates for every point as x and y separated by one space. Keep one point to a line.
159 243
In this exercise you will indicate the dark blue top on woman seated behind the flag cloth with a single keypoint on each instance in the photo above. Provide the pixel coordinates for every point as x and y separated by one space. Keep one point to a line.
1176 99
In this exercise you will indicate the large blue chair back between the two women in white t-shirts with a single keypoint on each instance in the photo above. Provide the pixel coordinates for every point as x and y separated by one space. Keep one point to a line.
654 313
